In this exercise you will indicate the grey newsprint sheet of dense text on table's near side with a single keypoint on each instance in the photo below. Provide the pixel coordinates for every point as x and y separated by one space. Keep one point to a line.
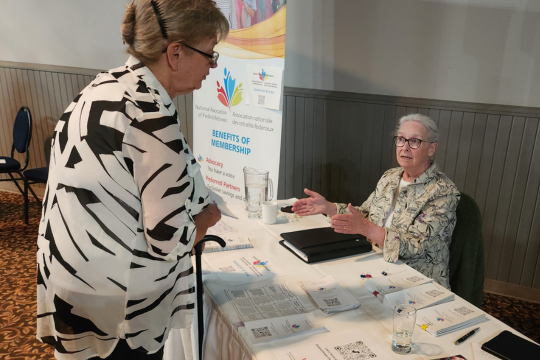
267 302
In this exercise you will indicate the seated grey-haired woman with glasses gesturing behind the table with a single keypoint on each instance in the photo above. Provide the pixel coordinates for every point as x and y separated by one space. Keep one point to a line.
412 212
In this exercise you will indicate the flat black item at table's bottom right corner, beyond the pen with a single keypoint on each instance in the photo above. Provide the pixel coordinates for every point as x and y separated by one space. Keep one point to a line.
509 346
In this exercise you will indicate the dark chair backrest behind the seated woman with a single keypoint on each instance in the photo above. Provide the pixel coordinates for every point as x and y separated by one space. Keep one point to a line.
467 252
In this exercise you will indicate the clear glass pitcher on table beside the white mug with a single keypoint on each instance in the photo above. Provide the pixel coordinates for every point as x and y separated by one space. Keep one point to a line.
259 188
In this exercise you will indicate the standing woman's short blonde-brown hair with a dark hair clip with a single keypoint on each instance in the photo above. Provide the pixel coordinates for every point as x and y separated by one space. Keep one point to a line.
188 21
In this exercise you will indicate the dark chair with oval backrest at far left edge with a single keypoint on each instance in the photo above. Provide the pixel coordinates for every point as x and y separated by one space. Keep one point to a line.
22 134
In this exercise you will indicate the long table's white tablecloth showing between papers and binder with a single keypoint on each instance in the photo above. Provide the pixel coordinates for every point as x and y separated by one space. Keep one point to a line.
227 339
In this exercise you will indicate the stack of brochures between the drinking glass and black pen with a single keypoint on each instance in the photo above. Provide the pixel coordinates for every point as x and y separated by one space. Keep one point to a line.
446 318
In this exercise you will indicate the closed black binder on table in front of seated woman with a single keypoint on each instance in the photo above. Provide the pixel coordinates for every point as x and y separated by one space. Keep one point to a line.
325 244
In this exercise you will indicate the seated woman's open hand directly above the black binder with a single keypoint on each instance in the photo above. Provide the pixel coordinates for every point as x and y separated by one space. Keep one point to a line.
356 223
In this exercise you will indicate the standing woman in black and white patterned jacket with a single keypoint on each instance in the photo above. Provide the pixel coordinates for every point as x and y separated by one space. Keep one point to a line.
125 202
